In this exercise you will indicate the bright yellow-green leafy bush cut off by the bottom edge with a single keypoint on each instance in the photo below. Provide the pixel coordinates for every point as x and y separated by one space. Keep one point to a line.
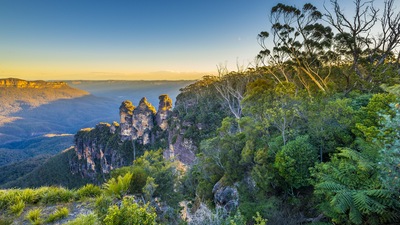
131 213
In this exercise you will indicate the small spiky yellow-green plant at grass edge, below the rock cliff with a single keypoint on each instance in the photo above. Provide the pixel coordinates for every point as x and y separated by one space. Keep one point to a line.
118 187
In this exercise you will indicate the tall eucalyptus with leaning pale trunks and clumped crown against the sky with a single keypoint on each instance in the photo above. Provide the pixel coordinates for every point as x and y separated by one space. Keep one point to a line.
300 46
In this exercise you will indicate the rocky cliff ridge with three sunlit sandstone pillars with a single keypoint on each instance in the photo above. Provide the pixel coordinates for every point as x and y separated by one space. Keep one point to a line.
105 147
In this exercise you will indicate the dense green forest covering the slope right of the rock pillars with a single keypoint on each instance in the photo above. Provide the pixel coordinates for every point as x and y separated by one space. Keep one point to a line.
308 134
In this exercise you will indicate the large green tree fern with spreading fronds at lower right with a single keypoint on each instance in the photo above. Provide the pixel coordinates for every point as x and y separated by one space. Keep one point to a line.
351 190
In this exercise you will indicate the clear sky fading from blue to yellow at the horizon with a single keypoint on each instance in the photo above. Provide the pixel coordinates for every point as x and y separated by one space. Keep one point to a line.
129 40
